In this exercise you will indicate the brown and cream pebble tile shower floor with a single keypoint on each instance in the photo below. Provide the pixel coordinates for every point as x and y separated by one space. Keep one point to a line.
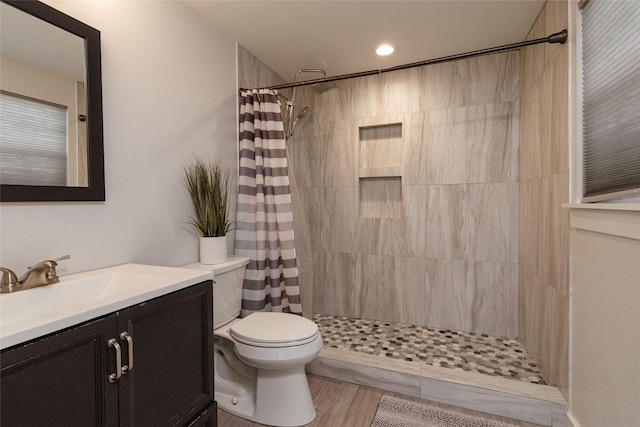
467 351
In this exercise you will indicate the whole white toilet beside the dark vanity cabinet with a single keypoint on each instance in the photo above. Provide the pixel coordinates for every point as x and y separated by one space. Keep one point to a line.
259 360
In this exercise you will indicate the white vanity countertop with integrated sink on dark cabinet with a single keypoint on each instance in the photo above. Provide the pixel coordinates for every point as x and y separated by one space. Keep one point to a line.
31 313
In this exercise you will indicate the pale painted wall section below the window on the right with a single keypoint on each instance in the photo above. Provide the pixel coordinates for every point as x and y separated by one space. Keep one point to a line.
605 368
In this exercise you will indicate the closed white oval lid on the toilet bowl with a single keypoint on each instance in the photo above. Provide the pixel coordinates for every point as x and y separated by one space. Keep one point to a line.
273 328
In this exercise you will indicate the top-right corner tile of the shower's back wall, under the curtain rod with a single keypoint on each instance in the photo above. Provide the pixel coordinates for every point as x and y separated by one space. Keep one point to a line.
492 78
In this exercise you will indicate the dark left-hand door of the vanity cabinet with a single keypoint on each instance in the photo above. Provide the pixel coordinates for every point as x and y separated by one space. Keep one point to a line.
60 379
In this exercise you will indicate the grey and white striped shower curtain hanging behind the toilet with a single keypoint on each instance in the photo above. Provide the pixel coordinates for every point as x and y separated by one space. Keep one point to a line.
264 220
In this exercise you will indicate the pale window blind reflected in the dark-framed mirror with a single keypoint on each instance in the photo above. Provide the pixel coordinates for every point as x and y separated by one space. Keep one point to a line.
33 137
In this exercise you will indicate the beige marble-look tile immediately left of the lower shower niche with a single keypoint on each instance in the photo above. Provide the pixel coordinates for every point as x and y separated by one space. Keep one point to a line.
339 221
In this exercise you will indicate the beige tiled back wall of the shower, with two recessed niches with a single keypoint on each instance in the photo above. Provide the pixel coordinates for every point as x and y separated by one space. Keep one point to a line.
405 196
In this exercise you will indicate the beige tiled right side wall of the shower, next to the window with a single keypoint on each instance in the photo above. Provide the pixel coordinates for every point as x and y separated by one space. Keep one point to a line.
544 186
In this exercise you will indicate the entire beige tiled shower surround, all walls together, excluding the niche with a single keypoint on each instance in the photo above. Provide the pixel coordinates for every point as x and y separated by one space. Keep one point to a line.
459 275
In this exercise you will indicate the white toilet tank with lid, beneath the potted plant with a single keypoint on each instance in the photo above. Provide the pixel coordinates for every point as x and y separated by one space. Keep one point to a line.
227 288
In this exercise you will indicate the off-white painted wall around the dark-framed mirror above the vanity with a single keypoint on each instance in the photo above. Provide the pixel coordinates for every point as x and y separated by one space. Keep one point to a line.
168 93
